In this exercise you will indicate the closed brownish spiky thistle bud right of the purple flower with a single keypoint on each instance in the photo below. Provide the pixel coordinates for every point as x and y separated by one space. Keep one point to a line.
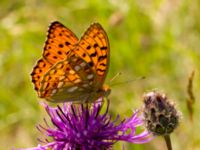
161 116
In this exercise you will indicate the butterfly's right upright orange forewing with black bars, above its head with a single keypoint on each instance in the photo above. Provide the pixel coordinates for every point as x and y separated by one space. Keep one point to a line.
93 48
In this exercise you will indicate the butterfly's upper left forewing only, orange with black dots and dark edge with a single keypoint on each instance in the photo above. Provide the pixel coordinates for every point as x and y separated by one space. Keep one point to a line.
60 41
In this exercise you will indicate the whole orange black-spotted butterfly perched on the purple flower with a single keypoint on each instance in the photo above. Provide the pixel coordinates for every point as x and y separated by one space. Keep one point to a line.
71 69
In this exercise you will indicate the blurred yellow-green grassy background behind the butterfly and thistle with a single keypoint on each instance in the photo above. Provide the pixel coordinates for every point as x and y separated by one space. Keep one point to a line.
157 39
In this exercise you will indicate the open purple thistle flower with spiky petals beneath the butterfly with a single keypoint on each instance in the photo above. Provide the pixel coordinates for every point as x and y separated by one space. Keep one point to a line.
76 127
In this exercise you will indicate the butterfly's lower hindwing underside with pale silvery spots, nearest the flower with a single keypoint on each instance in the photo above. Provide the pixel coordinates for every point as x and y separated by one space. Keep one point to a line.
67 81
